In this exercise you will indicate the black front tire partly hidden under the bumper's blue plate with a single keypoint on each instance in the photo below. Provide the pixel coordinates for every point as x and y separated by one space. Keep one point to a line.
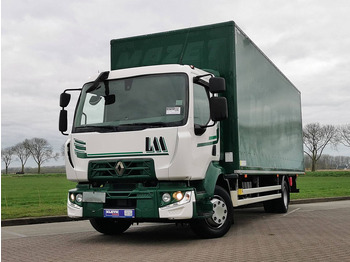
109 226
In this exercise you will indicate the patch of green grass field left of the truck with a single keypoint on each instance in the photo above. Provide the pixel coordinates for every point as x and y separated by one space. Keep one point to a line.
34 195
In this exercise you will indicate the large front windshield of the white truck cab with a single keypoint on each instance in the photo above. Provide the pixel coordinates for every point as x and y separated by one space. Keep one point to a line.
133 104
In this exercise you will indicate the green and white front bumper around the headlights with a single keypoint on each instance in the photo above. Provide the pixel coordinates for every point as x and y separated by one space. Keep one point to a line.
147 204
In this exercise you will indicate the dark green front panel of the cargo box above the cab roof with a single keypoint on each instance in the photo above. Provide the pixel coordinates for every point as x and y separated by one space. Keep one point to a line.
204 47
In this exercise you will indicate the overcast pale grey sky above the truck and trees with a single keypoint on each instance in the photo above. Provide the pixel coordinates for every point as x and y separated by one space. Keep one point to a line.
48 46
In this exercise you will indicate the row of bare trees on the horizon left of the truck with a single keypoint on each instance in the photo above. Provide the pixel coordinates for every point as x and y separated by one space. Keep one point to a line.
37 148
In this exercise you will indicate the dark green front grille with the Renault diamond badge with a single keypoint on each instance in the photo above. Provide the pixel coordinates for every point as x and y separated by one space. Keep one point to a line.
131 169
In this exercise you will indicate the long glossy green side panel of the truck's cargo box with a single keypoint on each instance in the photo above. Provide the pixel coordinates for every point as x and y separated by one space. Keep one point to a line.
269 112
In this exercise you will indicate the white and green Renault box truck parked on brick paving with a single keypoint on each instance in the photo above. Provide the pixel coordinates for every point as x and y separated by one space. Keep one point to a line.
187 126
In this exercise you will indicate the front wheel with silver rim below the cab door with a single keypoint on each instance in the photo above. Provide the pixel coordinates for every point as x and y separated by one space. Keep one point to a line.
220 222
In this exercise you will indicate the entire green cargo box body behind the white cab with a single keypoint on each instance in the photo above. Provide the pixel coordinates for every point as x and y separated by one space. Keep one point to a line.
264 130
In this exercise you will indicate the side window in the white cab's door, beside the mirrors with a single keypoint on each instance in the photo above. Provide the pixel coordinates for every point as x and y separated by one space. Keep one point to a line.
201 105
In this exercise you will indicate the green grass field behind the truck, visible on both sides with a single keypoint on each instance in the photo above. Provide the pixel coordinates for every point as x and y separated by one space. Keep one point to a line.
46 195
